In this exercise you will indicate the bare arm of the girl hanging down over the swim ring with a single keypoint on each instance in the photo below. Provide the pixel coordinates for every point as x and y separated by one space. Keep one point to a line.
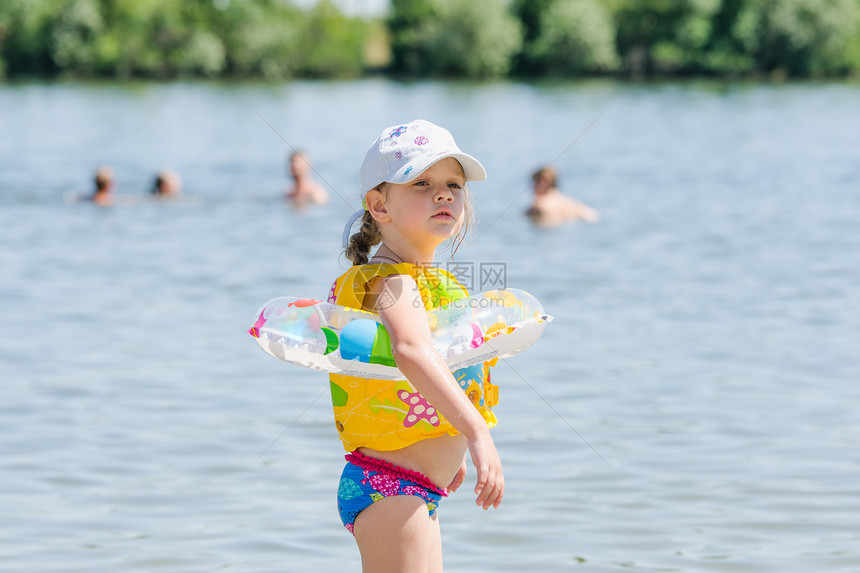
405 319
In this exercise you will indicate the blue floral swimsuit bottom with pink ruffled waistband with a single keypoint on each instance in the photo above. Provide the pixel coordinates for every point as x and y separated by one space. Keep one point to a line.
366 480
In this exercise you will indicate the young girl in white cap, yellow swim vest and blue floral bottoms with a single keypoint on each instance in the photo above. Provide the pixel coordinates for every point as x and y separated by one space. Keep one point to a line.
407 440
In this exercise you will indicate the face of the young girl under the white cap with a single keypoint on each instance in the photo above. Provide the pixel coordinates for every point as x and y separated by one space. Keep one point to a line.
428 210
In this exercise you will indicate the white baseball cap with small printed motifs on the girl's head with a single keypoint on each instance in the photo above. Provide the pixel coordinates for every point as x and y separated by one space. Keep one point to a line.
402 152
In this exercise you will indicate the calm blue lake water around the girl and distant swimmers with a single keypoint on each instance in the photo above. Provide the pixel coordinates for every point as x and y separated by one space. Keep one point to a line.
693 408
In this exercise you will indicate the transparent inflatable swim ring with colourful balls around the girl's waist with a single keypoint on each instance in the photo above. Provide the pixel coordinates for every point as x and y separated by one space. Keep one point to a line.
338 339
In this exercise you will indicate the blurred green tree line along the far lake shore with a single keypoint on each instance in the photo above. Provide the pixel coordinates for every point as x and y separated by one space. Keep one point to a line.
275 39
